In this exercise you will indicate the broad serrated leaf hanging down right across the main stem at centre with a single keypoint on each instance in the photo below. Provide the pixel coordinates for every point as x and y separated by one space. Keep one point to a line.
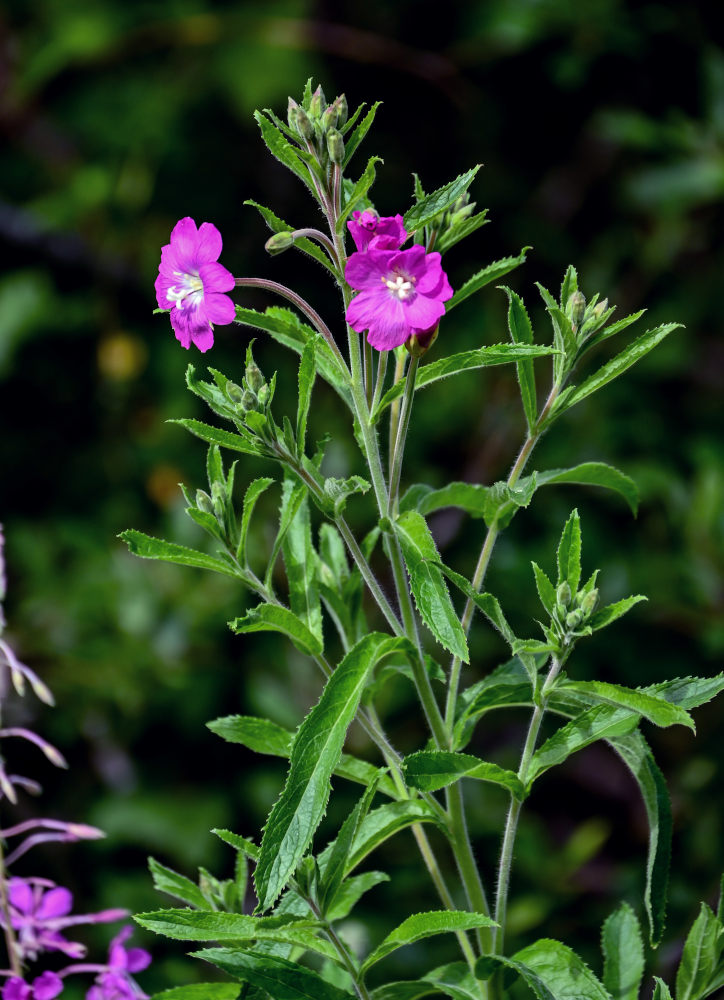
427 583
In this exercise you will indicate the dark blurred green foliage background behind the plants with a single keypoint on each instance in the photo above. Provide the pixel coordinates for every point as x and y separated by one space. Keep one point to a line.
601 130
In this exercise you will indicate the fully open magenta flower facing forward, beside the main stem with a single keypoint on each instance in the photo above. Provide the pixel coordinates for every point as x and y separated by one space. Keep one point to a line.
401 292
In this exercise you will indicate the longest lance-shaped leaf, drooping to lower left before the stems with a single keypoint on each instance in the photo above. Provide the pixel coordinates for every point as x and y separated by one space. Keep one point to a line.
315 754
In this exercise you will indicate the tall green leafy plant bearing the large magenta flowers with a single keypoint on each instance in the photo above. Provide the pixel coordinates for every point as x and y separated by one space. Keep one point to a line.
338 610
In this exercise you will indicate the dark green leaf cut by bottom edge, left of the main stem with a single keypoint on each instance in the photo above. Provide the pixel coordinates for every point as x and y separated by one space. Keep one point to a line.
280 978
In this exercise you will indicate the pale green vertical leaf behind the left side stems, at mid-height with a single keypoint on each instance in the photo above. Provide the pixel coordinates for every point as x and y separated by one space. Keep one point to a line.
300 561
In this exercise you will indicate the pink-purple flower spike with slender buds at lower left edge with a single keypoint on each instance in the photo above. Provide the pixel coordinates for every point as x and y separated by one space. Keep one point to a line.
34 911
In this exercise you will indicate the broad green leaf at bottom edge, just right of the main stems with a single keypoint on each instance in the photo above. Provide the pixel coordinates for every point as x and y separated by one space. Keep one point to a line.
551 970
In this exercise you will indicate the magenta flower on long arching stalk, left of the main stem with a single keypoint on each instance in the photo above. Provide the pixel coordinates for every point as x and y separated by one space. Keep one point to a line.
190 282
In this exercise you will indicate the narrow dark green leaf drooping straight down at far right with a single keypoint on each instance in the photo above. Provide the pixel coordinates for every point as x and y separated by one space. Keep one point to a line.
636 754
